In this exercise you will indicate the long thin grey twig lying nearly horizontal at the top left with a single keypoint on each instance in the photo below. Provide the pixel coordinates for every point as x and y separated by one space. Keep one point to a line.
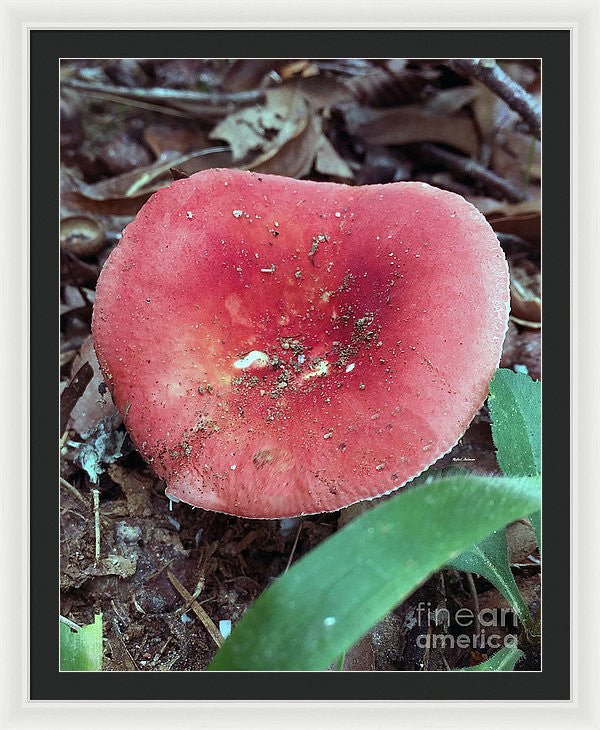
170 96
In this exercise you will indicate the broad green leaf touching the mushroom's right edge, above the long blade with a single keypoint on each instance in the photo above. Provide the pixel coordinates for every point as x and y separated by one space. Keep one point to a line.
515 407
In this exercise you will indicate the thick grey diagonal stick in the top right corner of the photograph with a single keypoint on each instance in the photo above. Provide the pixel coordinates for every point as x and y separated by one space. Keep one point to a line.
489 73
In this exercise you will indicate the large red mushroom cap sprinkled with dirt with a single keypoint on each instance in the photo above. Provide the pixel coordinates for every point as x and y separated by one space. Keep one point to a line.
281 347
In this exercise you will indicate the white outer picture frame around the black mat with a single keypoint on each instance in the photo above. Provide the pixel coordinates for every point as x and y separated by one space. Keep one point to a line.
582 17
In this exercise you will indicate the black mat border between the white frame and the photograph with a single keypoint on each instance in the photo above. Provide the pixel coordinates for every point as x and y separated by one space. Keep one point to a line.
46 47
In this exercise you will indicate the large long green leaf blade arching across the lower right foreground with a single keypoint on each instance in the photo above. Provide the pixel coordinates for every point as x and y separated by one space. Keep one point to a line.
326 601
